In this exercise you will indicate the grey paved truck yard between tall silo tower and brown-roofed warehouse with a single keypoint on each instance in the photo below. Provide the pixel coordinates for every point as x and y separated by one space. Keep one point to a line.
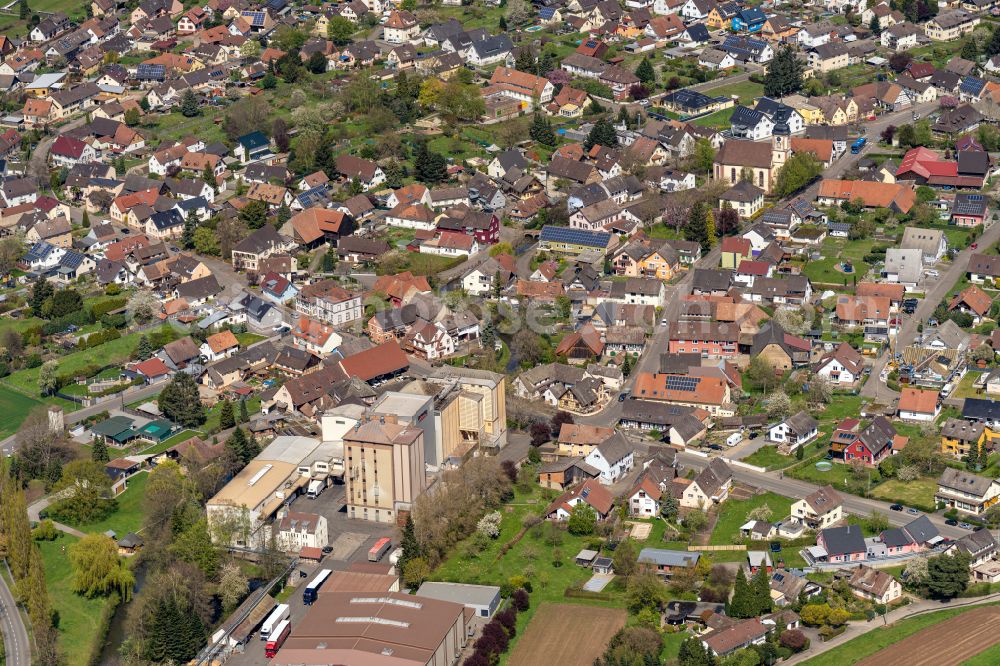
350 540
